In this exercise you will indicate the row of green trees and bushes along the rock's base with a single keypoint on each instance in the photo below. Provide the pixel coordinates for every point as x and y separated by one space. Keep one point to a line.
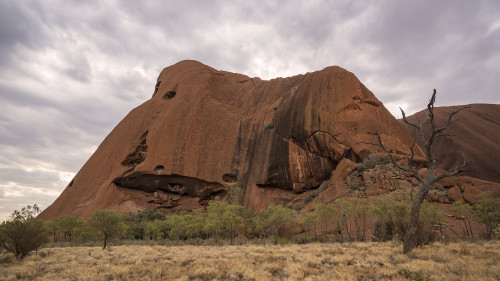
350 219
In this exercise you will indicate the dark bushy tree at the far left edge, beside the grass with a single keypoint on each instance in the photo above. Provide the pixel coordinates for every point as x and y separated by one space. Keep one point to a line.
23 233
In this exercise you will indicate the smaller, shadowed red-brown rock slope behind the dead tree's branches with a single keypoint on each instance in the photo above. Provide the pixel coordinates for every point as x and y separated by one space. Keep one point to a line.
476 134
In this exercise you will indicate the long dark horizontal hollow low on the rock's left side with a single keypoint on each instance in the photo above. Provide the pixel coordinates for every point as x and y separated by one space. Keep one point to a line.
181 185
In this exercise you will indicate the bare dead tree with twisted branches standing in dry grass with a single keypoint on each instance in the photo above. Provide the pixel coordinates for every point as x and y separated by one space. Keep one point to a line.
427 181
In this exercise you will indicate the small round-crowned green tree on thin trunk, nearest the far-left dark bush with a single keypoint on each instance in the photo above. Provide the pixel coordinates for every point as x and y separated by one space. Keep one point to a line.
108 223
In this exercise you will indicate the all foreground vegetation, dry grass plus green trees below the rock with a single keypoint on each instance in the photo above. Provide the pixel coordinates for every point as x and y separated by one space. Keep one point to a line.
348 239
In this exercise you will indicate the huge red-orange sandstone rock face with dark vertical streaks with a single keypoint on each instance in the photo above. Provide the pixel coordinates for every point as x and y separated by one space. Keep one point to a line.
204 130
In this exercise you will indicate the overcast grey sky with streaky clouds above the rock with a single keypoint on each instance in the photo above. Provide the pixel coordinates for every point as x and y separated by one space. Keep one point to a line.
71 70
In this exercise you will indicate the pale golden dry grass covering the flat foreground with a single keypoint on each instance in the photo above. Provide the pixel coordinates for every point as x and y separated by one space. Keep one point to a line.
357 261
